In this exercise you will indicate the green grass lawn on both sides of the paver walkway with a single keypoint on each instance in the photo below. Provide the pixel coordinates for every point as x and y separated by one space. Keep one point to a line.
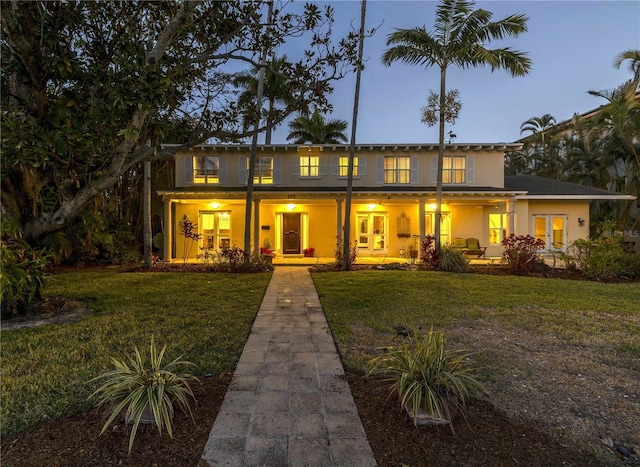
207 318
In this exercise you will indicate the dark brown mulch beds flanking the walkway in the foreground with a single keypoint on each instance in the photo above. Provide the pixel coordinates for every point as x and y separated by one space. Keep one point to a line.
489 438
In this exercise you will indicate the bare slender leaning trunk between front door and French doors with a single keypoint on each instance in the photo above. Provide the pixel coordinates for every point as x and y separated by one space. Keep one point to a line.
352 149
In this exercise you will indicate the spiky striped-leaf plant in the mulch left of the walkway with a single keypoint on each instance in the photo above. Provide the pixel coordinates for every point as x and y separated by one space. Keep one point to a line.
139 388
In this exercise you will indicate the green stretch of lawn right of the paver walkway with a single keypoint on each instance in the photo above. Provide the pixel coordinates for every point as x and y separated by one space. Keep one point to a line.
363 307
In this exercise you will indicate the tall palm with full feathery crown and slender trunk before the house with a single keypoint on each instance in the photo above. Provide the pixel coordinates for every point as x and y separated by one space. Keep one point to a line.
460 37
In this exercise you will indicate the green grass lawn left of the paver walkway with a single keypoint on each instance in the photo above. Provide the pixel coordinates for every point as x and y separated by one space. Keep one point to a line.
205 317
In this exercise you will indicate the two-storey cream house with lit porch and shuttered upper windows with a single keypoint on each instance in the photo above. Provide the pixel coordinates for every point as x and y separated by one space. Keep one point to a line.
299 199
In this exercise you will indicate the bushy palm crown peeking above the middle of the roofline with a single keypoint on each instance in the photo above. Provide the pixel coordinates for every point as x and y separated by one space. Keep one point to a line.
315 129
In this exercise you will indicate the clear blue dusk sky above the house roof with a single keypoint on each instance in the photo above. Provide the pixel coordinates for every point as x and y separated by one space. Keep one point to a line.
572 45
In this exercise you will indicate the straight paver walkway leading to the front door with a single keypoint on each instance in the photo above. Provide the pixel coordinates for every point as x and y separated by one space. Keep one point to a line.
288 403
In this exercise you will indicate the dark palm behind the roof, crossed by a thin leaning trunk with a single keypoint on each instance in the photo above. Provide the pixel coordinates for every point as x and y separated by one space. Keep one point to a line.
275 91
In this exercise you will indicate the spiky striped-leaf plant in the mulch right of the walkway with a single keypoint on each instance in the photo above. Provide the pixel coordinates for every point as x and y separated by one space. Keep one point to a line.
428 378
